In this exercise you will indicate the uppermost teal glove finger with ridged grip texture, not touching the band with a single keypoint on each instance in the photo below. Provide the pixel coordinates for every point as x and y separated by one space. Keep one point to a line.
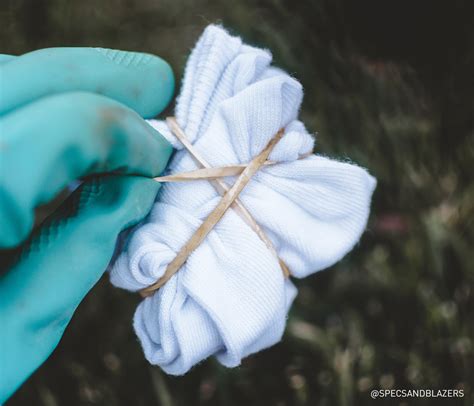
141 81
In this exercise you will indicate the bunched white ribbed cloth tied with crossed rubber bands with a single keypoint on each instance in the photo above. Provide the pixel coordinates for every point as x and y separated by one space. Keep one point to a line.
230 298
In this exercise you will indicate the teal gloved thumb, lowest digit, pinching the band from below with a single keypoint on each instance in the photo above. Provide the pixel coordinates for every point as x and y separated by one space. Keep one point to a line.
60 264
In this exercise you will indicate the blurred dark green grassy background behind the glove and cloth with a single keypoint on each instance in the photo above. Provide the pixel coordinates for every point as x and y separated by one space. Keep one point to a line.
388 84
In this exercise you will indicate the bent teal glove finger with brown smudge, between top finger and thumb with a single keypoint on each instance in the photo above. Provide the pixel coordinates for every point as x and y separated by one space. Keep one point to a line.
47 144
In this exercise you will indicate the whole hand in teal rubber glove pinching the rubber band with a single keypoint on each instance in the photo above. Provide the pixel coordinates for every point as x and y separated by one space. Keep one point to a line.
66 113
